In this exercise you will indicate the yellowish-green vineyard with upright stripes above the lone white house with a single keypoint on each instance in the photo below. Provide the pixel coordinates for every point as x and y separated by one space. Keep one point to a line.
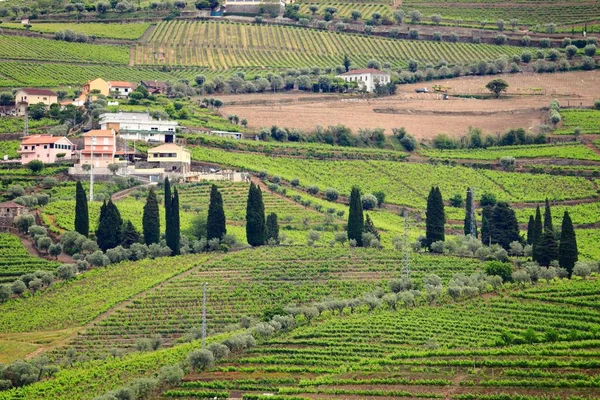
226 45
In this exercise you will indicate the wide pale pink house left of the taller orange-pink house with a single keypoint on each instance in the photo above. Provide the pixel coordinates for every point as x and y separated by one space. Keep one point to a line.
45 148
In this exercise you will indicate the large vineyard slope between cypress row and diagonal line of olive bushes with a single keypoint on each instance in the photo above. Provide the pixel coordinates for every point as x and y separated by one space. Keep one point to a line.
248 283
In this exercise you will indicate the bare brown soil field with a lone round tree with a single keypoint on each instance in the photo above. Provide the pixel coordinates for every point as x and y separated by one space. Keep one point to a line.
423 115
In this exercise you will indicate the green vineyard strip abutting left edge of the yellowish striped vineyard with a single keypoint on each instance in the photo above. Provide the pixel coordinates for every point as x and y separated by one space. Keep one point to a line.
15 47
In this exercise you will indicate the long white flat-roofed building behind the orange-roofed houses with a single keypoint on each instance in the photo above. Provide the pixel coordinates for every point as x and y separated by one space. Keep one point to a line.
139 126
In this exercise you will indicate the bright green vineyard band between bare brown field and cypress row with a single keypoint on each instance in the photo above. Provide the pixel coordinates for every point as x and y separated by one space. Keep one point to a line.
403 182
